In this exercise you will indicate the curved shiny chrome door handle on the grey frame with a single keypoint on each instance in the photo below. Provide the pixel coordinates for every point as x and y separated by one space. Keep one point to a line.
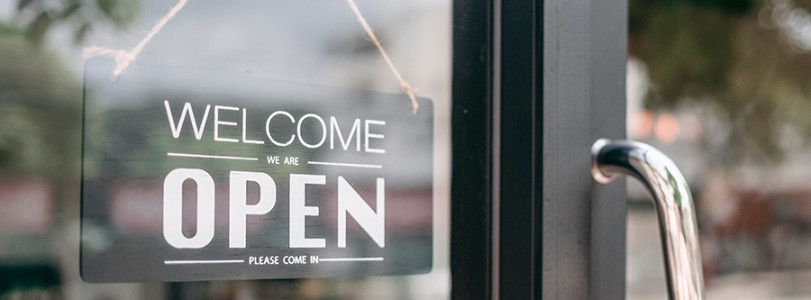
672 201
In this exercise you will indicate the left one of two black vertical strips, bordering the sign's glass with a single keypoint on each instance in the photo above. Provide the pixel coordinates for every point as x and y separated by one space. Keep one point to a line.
471 117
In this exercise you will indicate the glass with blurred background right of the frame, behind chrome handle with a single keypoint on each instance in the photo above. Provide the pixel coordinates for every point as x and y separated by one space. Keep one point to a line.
723 87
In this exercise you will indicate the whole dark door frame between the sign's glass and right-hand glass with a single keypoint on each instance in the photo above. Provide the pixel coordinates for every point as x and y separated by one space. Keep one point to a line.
534 84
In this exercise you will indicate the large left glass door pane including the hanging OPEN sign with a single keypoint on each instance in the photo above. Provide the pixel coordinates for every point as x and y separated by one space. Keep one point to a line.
63 66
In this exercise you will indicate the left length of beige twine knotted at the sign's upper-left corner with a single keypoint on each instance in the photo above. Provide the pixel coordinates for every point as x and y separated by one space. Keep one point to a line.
124 58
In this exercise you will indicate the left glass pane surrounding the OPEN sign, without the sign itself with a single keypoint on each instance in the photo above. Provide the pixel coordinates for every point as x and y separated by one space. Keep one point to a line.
315 43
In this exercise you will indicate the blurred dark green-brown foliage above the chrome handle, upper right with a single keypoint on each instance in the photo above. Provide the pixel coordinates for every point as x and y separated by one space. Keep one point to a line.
744 59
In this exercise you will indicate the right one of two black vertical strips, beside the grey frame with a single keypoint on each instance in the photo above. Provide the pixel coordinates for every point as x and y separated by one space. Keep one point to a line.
519 157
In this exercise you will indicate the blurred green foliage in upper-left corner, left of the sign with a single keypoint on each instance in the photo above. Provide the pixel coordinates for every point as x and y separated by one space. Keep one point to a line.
40 99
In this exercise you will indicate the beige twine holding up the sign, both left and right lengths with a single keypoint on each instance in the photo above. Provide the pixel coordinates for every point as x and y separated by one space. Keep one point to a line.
124 58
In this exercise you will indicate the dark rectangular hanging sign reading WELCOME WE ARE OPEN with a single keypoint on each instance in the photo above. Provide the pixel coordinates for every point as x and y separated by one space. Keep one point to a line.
193 175
